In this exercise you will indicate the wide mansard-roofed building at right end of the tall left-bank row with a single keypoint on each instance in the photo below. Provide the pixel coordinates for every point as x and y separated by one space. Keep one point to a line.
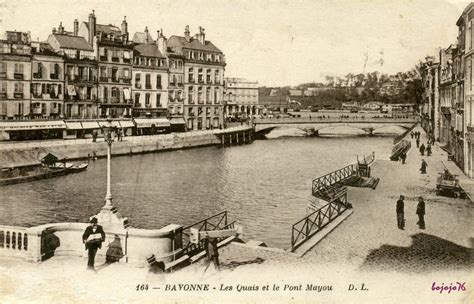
204 66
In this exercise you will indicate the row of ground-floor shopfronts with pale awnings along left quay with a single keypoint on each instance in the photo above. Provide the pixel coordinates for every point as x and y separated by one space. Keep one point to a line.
80 129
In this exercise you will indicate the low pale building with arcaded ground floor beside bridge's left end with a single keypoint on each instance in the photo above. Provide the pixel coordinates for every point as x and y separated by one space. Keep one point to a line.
240 96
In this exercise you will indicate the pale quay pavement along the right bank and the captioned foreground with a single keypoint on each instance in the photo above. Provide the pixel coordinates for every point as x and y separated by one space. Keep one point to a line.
396 266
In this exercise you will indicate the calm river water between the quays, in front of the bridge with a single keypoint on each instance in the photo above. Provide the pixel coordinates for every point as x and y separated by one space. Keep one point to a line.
265 186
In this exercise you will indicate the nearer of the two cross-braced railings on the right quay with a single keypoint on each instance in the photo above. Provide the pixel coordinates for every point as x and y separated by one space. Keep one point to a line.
304 229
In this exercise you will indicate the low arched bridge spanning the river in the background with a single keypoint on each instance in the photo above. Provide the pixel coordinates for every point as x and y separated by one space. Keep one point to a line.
315 124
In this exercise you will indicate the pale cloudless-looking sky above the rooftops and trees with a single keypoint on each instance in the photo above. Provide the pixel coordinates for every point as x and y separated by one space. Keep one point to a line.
273 42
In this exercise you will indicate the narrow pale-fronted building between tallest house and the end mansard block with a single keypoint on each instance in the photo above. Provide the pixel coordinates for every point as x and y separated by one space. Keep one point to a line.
150 78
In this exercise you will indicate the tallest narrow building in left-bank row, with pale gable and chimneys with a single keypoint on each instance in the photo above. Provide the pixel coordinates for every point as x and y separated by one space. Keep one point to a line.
114 52
